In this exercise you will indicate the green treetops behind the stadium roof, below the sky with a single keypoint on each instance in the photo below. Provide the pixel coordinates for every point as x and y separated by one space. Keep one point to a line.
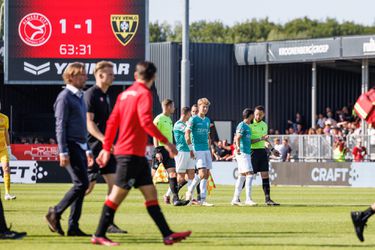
257 30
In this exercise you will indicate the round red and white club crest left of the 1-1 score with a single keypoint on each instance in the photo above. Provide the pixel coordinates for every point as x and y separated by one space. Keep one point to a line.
35 29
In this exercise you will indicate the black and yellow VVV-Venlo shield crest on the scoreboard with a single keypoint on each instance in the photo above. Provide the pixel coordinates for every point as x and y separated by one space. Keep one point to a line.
124 27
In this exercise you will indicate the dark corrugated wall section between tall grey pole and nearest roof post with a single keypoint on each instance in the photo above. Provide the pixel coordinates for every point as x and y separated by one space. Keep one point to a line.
230 88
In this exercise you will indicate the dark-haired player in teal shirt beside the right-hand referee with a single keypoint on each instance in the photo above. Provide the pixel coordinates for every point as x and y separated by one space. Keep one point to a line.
243 156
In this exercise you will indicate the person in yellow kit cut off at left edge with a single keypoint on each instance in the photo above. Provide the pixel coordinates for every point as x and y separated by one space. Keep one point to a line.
5 152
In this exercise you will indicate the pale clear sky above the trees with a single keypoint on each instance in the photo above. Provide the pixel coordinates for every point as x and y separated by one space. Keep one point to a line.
279 11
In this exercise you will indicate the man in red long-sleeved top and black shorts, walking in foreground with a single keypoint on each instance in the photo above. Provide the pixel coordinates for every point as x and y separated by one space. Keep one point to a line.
132 119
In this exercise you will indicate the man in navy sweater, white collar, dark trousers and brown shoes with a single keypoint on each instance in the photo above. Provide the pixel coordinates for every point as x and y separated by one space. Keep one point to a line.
75 155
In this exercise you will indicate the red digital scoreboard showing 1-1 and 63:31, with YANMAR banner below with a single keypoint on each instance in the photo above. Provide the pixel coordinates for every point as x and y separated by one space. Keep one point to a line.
43 36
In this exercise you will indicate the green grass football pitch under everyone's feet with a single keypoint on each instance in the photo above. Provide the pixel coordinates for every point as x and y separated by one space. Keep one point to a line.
309 218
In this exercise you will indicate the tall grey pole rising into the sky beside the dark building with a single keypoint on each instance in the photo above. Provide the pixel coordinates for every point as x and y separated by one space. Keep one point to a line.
185 63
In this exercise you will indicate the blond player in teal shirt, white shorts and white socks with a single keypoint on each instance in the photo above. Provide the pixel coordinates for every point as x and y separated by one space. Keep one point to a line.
198 140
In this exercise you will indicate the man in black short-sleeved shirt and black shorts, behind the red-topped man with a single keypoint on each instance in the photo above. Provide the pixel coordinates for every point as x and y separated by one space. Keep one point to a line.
98 111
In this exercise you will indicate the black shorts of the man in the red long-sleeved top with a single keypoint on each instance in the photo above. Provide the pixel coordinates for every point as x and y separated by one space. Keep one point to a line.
132 171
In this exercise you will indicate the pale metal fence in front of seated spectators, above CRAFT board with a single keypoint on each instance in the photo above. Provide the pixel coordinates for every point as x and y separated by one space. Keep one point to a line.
320 147
